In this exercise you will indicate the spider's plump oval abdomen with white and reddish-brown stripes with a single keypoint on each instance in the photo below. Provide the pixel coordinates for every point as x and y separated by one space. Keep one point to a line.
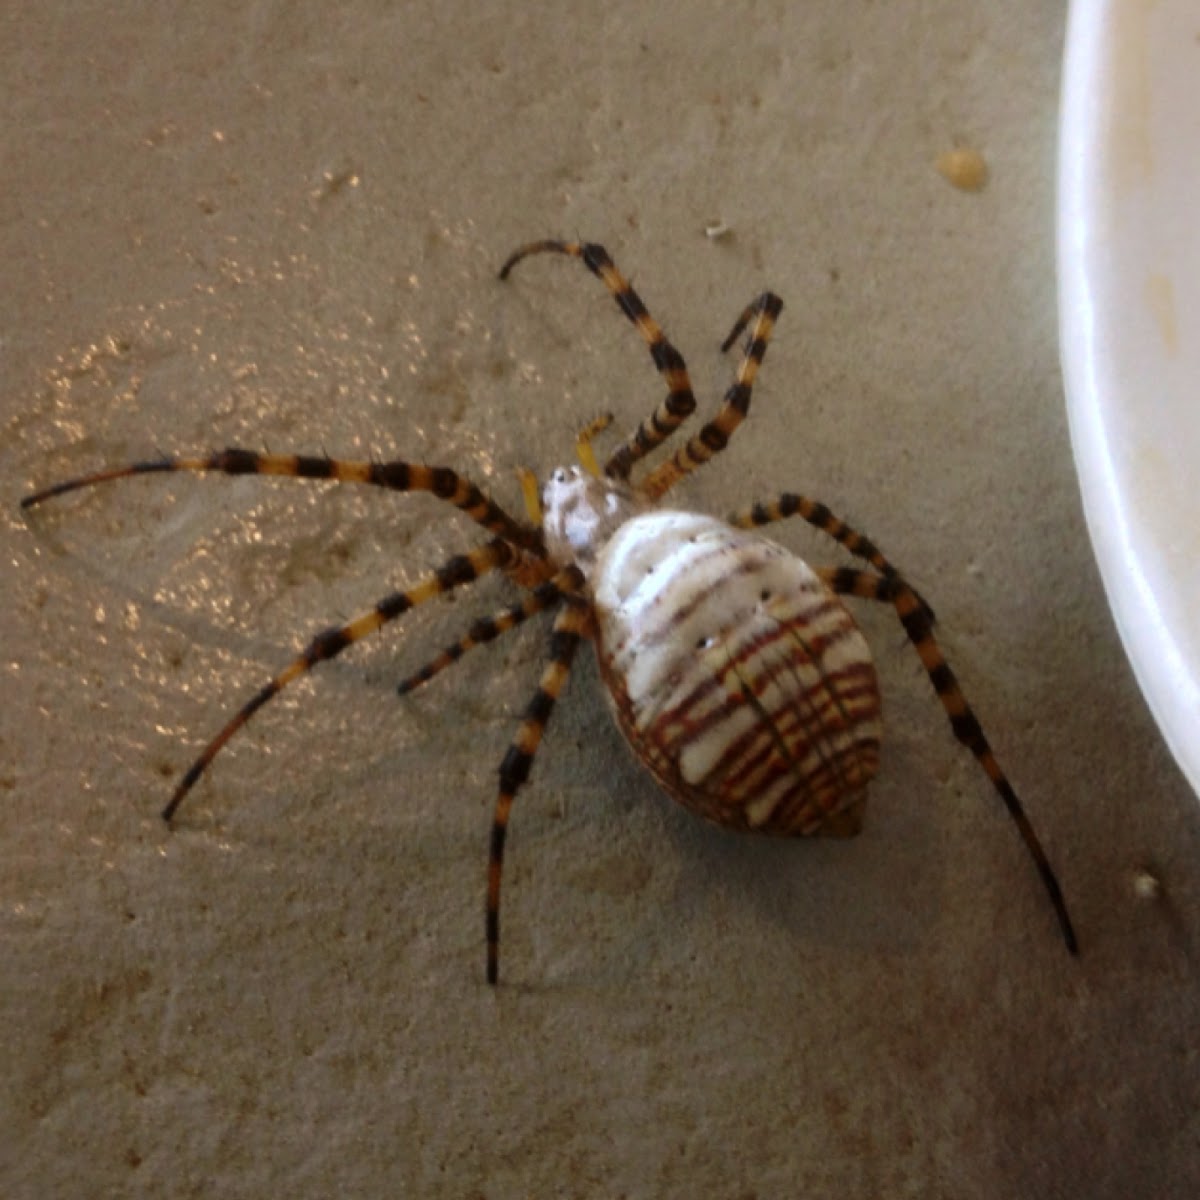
736 675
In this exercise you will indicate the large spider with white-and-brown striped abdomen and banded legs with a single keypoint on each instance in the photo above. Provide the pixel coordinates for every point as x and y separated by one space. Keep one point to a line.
733 668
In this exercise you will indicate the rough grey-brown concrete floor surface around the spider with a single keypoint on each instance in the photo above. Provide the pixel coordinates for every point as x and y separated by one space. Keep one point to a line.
278 226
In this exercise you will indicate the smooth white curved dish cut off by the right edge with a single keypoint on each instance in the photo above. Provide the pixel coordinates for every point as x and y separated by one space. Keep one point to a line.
1107 255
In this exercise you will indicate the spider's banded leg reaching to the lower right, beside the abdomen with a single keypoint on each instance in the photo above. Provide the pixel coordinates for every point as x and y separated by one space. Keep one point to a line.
915 619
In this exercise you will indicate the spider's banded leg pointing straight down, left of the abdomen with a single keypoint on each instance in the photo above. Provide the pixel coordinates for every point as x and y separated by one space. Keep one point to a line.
571 627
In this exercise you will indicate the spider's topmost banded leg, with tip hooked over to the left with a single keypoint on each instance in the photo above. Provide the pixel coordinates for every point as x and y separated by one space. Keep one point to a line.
680 403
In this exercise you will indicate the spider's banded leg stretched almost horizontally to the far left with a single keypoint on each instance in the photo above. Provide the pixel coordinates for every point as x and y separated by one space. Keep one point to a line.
398 477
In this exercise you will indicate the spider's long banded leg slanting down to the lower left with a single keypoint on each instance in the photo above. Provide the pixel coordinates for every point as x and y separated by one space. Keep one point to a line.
331 643
